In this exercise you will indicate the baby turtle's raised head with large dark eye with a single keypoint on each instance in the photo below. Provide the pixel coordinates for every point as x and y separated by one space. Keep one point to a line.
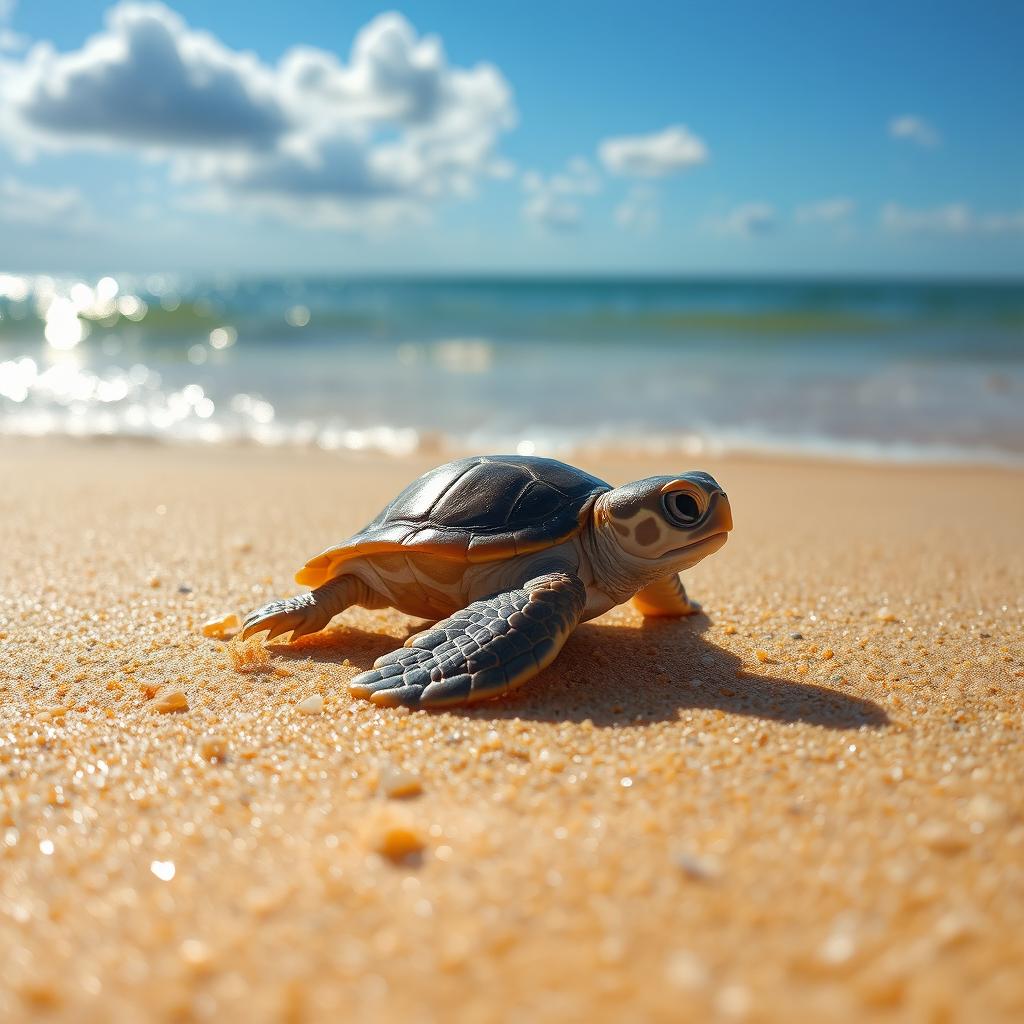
670 522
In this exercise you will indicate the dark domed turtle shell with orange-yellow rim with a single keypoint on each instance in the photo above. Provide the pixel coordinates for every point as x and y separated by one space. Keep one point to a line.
482 509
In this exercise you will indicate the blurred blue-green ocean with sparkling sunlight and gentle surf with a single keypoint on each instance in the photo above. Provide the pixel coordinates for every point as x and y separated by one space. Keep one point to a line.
868 370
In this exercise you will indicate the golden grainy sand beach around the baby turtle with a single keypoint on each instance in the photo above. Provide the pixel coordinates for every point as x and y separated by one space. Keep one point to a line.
806 804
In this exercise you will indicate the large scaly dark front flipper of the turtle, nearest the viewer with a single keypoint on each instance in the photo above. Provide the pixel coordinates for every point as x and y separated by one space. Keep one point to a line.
490 648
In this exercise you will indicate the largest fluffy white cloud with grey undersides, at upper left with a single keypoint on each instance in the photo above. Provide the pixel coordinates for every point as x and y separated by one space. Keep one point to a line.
382 137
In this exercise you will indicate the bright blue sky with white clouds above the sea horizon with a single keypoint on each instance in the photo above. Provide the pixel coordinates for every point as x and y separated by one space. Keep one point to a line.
531 138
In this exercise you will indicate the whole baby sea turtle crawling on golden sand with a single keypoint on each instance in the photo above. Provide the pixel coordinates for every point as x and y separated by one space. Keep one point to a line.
510 553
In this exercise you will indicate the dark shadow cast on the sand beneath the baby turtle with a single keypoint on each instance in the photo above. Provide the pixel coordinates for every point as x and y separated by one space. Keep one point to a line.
621 675
